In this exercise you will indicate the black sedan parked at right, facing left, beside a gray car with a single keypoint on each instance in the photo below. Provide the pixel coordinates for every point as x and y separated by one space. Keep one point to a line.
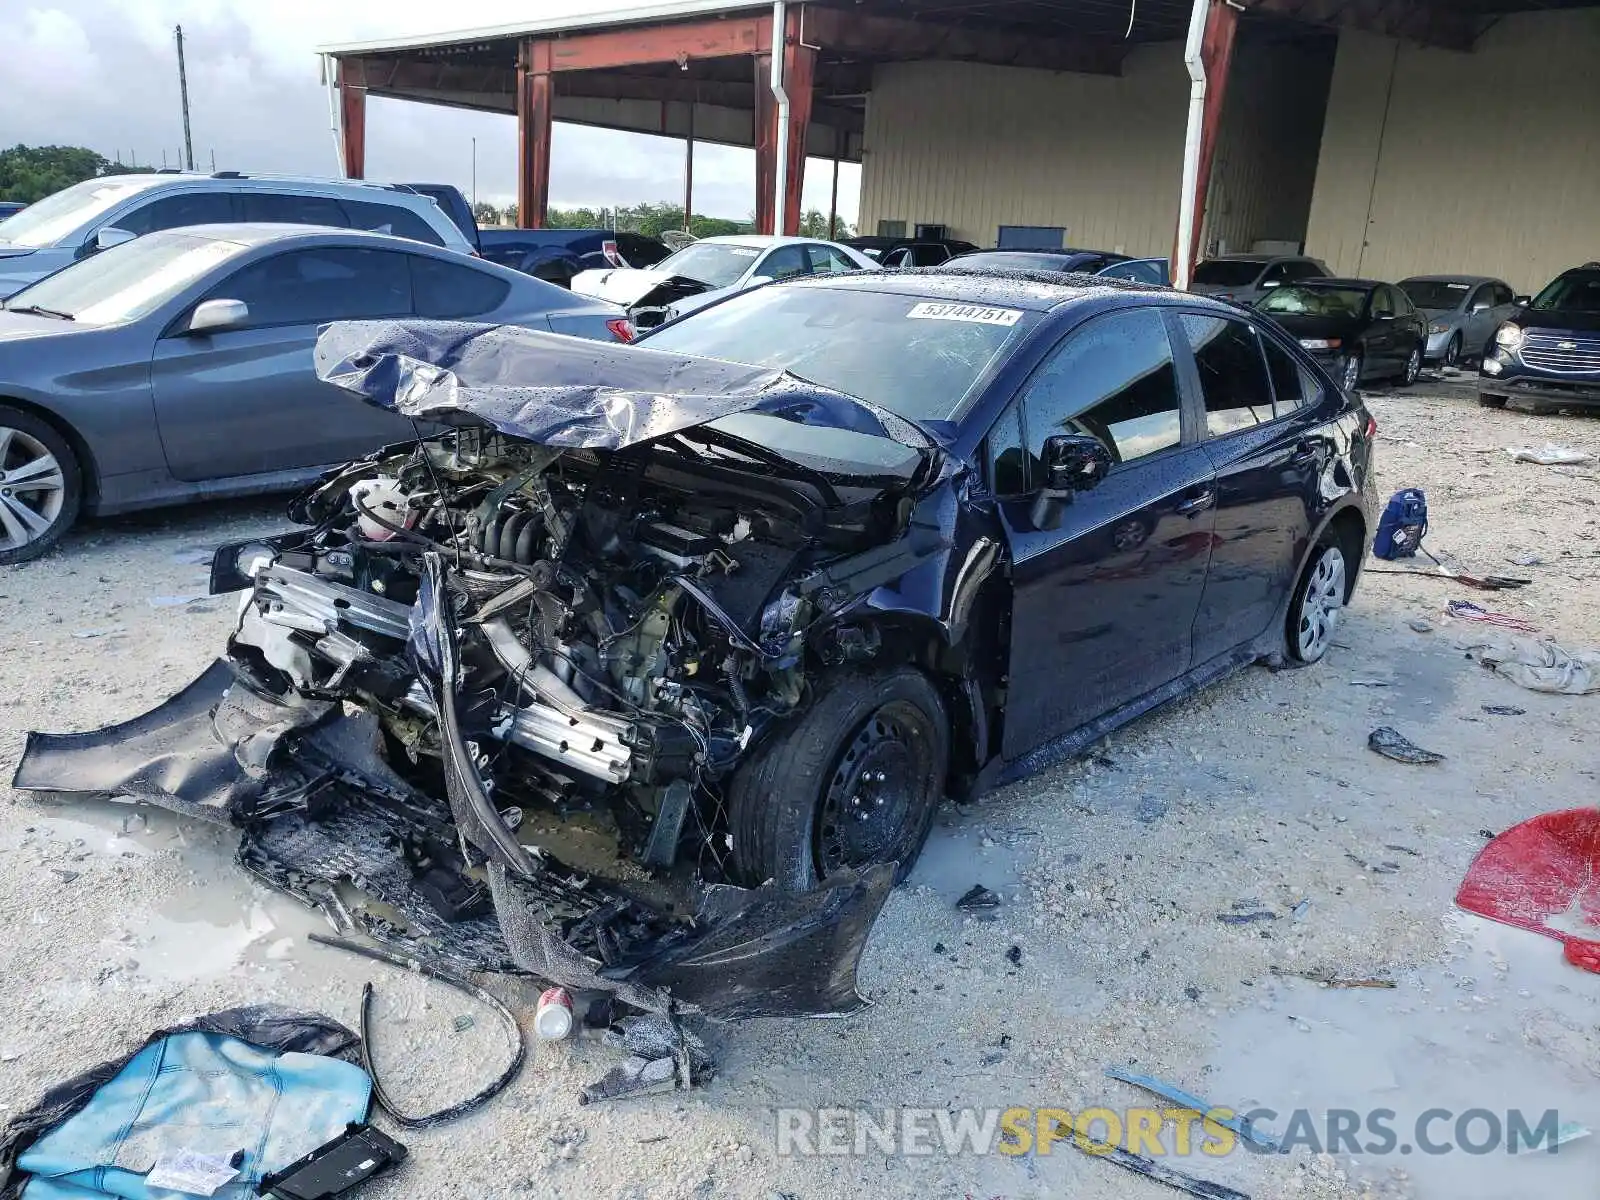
1358 329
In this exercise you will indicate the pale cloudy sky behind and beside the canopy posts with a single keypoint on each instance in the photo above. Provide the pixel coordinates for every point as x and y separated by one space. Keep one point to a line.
103 74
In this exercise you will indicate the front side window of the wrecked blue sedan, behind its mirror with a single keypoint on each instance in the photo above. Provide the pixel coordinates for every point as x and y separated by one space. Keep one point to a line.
1114 380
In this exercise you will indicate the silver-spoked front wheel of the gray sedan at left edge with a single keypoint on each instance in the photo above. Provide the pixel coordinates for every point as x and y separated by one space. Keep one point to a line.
41 486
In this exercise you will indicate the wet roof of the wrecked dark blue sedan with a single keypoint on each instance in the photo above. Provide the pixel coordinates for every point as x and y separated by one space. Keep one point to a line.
1028 290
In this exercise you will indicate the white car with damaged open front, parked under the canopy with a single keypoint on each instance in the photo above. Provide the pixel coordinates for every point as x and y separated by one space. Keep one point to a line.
714 268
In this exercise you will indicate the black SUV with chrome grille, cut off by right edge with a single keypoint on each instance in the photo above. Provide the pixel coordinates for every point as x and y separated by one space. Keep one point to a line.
1550 353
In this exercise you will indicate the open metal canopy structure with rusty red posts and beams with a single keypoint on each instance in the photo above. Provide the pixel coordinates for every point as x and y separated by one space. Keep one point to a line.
700 70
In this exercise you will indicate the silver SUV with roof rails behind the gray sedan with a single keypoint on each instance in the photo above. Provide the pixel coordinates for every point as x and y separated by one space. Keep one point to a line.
86 218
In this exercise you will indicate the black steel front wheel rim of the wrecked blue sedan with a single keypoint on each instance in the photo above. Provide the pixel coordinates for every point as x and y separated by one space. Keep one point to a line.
874 793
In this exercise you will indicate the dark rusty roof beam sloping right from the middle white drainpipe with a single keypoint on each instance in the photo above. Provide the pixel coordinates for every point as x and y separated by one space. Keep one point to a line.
900 39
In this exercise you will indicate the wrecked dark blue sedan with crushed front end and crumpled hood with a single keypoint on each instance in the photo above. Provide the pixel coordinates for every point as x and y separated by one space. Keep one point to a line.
754 594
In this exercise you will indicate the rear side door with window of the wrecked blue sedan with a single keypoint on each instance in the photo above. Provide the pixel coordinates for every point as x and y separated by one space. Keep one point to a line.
1268 465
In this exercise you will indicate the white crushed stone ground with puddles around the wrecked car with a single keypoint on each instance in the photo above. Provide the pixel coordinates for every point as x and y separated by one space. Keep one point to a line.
1252 798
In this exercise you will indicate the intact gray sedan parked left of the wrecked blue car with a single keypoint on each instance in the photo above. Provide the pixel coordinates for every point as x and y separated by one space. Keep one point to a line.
178 367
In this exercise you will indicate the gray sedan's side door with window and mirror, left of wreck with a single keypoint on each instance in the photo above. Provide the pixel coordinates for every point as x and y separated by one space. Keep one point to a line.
247 399
